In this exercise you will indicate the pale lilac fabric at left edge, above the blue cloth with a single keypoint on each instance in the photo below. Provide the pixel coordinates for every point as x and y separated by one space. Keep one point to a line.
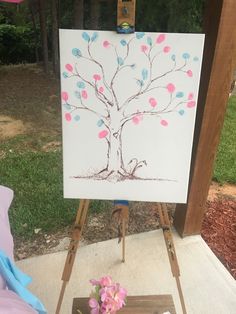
6 240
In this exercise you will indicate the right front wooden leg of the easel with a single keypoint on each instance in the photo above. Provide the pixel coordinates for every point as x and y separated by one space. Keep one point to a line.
166 227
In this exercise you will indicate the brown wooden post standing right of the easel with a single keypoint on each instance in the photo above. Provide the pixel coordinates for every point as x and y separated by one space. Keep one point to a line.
217 70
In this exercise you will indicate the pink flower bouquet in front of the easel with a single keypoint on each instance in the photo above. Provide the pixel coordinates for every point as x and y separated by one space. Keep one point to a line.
108 297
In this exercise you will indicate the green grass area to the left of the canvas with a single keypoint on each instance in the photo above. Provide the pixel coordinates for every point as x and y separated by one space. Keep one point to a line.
36 178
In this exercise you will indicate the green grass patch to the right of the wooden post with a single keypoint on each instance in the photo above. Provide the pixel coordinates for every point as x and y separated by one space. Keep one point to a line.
225 164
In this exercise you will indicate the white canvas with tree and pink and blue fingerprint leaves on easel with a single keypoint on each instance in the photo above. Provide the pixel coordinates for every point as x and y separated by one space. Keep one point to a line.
128 109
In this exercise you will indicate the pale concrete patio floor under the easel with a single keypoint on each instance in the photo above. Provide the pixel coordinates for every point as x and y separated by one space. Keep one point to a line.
207 286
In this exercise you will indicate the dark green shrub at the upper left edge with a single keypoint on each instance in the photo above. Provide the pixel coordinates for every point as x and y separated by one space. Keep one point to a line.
16 44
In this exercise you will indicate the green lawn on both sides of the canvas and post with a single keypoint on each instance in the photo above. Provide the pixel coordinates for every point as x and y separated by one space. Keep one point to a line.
36 178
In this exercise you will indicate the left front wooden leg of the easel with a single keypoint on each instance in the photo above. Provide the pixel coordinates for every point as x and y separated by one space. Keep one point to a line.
77 231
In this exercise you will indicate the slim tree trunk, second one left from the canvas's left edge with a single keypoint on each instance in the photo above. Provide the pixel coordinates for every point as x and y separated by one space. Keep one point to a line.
42 18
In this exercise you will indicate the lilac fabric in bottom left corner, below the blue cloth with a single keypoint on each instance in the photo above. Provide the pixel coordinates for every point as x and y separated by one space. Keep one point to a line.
11 303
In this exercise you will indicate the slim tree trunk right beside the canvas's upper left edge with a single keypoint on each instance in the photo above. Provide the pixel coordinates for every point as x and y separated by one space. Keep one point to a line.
55 38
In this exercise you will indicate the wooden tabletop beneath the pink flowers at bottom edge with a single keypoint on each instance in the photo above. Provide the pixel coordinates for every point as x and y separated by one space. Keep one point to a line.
152 304
